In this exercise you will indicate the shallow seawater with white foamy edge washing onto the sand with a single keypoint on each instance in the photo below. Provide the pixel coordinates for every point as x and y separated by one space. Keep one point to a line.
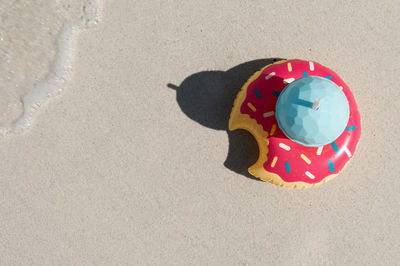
37 40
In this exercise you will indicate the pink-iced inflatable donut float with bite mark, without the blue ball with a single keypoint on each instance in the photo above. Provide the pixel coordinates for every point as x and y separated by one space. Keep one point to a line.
282 161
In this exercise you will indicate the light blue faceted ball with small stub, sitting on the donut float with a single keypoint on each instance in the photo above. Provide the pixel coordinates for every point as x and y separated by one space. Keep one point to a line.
312 111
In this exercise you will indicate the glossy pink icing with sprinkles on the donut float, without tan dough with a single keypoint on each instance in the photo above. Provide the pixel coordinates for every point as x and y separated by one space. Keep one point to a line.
292 161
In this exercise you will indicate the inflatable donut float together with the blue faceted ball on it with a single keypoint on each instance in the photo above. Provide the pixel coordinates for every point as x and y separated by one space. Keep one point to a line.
300 160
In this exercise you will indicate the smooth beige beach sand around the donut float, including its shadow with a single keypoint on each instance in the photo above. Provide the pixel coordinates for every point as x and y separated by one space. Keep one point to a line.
132 162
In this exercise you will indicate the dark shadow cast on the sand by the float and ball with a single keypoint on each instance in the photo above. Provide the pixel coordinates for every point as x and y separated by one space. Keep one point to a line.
207 98
